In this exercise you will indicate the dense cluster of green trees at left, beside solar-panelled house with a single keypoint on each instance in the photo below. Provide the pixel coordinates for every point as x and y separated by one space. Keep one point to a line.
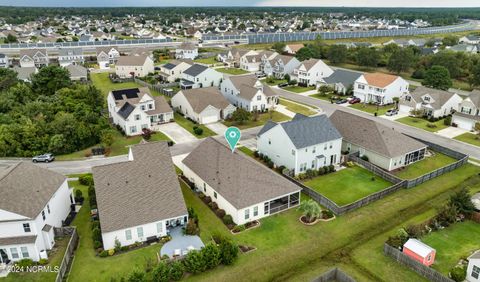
51 114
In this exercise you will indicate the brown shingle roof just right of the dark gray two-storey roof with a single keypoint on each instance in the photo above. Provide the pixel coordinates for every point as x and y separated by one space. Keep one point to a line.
373 136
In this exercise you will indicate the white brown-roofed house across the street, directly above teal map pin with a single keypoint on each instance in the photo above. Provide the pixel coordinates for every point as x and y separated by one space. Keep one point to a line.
249 93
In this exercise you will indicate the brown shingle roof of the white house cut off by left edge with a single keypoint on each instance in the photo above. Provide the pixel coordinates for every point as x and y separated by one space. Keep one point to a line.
26 188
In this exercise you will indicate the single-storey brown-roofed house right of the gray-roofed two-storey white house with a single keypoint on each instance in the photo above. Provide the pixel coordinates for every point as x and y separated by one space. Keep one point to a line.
383 146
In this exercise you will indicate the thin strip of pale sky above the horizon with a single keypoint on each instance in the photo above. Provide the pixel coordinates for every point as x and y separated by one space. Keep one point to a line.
336 3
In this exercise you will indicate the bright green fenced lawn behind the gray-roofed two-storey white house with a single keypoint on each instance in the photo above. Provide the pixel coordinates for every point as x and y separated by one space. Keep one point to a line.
347 185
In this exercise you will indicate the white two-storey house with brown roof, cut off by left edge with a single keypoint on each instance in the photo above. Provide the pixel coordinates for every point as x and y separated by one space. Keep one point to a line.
34 201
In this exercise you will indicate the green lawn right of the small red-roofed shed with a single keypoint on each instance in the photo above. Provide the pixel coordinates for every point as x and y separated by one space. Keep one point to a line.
453 243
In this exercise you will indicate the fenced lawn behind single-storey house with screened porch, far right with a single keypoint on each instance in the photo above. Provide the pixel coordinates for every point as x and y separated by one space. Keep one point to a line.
424 166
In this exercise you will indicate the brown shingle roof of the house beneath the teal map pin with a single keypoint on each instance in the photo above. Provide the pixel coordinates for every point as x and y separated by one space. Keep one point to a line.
239 179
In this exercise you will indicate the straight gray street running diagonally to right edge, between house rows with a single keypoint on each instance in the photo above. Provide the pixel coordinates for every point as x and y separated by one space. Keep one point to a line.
329 108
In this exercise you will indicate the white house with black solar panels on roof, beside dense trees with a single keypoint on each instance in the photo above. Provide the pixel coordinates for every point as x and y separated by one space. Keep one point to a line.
136 108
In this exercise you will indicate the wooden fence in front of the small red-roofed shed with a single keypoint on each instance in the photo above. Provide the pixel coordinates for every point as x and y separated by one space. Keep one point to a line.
427 272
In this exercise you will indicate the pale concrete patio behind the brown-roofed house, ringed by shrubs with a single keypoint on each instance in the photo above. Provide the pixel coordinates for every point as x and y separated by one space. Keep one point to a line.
180 242
